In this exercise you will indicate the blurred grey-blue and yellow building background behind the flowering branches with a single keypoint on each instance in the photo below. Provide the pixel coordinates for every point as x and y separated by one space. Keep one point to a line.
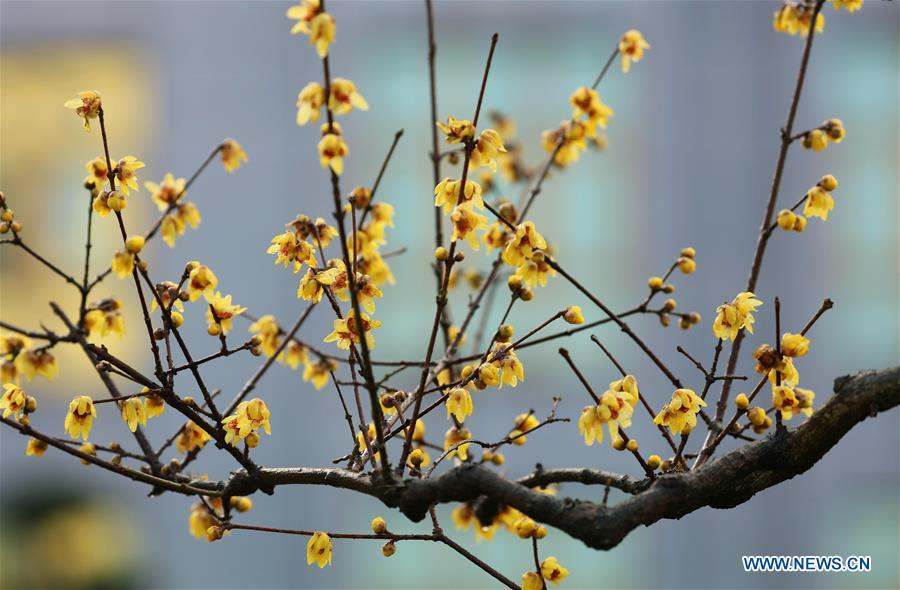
692 148
